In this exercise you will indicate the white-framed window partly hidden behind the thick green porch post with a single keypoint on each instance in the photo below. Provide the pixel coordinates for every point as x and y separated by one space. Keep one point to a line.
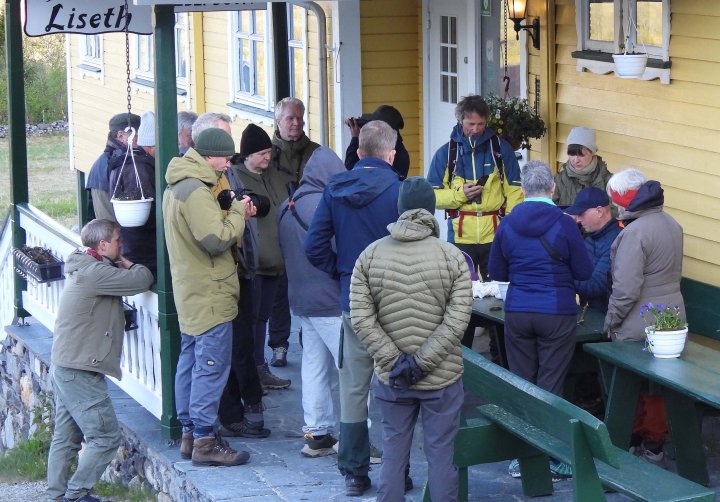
142 55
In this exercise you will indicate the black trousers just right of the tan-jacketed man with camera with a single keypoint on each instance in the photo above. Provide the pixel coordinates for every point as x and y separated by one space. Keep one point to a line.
243 383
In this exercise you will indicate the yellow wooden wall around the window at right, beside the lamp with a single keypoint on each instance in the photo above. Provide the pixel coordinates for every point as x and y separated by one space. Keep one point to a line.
670 132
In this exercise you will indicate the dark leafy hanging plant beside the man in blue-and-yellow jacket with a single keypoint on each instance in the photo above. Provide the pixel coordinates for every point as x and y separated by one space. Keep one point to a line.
514 120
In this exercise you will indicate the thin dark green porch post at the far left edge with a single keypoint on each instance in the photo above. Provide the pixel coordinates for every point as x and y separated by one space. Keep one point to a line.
16 133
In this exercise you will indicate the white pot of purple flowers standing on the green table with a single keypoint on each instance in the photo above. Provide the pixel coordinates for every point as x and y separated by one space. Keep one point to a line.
666 332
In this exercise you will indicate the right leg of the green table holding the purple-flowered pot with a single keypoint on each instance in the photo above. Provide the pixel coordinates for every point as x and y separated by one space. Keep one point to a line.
685 424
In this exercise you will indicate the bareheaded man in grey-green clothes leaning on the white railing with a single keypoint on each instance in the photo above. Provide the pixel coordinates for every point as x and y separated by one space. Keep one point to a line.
87 345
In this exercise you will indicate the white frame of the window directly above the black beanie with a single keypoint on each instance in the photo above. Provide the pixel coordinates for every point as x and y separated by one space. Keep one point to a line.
251 98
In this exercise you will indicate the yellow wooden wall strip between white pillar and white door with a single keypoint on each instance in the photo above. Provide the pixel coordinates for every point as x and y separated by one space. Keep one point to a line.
391 46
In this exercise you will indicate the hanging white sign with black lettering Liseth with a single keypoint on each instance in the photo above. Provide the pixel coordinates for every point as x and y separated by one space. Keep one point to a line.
45 17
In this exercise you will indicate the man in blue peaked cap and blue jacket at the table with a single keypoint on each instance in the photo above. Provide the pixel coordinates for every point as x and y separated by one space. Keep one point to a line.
592 210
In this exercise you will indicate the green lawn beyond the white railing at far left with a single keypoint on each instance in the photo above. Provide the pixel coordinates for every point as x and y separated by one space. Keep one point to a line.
51 183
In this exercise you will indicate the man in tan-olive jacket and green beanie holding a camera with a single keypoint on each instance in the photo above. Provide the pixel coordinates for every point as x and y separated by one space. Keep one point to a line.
199 238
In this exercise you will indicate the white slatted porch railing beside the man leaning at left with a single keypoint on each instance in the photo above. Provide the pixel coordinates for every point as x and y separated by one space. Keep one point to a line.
141 349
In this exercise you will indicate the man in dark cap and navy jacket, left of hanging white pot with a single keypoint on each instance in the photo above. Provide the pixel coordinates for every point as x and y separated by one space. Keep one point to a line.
98 180
